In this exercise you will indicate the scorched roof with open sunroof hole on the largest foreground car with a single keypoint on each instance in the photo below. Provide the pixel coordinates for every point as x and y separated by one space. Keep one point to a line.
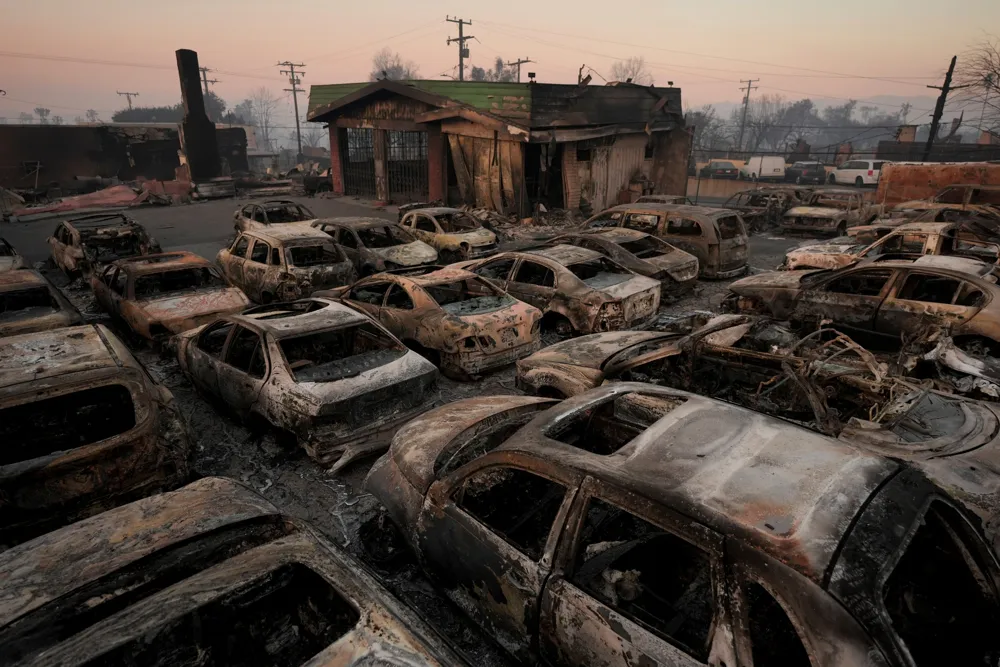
791 492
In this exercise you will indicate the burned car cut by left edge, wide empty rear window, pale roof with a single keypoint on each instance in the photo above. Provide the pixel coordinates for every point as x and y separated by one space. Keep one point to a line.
83 428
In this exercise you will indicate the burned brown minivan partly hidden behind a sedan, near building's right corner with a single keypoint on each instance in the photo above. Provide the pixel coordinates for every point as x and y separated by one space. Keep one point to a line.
716 236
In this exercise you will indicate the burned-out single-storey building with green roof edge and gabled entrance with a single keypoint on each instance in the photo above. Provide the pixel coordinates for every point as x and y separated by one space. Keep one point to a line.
505 146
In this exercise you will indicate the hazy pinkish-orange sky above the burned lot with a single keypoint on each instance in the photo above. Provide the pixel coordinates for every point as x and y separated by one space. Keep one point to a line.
797 48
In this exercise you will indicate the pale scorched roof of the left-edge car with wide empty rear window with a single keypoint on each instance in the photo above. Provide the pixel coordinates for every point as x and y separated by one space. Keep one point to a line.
51 354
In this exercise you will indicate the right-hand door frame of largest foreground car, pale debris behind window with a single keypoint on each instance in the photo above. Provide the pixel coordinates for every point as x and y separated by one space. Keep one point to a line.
558 586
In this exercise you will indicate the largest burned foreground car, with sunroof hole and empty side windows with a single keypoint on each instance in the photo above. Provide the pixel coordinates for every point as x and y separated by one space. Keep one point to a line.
640 520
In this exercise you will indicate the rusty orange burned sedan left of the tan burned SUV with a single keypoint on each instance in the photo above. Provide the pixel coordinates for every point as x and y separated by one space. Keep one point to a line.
157 296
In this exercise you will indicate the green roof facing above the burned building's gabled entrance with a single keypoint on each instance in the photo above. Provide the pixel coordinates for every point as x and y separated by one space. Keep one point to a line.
512 100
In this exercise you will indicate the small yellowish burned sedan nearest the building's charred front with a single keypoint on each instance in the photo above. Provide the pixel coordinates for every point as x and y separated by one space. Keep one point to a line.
455 234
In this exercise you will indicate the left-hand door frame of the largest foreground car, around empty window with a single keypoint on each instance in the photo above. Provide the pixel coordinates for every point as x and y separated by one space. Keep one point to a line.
501 560
